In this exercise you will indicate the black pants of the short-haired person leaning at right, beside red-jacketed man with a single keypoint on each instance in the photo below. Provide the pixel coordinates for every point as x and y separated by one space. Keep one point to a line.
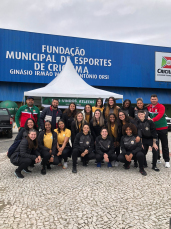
146 143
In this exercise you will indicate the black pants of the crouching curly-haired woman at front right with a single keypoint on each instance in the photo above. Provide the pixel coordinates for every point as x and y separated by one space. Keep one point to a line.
138 156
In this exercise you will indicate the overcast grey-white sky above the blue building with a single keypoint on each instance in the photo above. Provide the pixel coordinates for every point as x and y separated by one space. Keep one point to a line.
133 21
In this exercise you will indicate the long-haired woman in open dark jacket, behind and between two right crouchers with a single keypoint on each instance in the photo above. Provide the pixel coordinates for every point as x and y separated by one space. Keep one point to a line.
113 133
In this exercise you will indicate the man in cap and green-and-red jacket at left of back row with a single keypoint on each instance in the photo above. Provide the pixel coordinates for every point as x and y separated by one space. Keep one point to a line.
27 111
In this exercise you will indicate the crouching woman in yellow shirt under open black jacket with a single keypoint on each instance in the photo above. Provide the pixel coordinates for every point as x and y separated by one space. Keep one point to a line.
47 141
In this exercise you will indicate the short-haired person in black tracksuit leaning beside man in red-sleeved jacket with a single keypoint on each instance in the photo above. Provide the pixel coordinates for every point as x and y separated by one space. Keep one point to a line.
149 137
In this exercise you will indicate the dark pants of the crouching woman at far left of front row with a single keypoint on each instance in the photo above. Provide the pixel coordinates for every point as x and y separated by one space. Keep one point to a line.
22 163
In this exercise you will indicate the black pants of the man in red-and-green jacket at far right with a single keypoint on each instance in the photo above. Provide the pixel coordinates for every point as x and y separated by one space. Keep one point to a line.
163 137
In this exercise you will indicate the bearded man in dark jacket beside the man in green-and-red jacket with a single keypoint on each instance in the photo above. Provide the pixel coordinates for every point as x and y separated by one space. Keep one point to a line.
52 114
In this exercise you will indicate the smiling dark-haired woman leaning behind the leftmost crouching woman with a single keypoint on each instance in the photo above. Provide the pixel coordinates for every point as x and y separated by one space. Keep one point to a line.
29 124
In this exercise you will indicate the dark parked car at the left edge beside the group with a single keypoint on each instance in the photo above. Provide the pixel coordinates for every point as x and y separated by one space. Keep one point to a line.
6 122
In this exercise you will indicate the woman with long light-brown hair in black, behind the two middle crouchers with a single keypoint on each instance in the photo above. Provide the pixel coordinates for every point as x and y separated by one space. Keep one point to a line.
96 124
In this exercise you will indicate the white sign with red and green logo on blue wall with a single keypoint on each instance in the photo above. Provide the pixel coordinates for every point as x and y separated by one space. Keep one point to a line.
163 66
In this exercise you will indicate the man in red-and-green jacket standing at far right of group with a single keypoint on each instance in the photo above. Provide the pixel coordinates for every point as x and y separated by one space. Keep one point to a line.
157 115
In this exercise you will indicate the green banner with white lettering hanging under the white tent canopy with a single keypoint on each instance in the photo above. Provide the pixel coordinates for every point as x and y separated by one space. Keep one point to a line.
66 101
